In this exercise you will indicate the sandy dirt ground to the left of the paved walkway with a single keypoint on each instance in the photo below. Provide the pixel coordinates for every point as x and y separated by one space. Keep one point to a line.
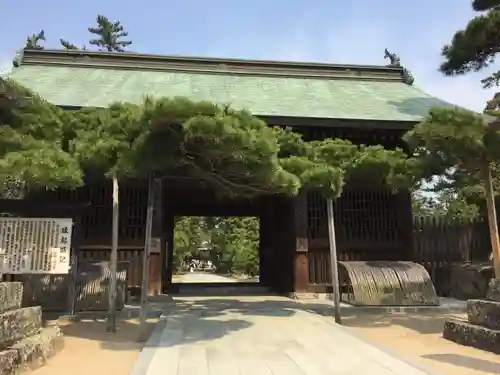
90 350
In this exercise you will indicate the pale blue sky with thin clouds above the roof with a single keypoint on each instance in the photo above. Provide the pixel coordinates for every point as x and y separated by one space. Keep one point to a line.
353 32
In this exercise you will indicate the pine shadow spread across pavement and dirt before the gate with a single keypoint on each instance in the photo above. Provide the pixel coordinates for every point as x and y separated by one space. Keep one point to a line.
195 319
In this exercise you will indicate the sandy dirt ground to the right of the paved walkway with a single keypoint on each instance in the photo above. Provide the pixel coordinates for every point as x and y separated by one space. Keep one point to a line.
419 339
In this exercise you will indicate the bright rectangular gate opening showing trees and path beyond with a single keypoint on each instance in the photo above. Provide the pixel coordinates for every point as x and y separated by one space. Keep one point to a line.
216 250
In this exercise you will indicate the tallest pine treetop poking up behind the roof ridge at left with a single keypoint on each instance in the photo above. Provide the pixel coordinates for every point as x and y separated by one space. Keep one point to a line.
109 35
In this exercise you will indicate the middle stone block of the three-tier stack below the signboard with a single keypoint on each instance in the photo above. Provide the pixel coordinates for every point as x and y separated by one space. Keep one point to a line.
18 324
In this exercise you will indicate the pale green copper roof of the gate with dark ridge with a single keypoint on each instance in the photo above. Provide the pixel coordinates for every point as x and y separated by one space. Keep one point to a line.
80 79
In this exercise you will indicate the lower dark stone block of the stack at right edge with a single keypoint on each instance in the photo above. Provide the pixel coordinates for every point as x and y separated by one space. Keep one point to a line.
468 334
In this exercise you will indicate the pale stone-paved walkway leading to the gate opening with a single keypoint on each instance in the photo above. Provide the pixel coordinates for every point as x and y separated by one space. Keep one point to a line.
258 336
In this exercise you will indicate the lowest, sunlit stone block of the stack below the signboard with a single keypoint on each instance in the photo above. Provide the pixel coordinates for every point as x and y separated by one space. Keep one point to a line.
31 352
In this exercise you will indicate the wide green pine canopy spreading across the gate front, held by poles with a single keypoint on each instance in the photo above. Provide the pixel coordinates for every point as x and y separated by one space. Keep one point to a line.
226 149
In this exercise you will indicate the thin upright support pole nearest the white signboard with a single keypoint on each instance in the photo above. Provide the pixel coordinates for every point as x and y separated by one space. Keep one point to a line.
113 261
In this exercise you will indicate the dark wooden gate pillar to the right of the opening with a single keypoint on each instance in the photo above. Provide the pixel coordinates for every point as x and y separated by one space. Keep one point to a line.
301 244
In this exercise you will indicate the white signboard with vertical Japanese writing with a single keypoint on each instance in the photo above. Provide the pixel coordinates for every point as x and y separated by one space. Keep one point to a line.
35 246
